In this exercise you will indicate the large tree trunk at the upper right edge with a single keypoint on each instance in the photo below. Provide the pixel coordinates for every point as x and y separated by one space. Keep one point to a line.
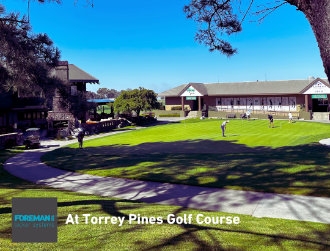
318 14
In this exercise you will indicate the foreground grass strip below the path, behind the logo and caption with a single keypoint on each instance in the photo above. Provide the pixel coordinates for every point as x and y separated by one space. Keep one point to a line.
250 234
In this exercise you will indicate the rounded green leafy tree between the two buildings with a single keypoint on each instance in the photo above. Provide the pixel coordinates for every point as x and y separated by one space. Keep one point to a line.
136 100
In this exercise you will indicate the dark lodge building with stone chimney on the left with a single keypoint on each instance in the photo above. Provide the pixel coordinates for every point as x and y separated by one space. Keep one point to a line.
32 110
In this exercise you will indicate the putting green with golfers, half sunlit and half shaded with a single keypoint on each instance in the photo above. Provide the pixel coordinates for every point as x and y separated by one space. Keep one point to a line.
252 156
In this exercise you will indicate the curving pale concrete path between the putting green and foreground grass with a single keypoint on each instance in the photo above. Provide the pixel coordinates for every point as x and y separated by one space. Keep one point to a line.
27 166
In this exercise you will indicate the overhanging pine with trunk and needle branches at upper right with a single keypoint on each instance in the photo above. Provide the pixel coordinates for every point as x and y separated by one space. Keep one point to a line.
221 18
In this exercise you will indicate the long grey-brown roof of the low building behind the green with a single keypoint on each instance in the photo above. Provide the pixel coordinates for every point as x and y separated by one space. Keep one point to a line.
283 87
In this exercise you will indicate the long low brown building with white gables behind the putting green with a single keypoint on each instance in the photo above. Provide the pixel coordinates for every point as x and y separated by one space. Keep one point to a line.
306 99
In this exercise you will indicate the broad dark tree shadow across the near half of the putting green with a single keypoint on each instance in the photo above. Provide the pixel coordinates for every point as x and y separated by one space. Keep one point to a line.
222 164
